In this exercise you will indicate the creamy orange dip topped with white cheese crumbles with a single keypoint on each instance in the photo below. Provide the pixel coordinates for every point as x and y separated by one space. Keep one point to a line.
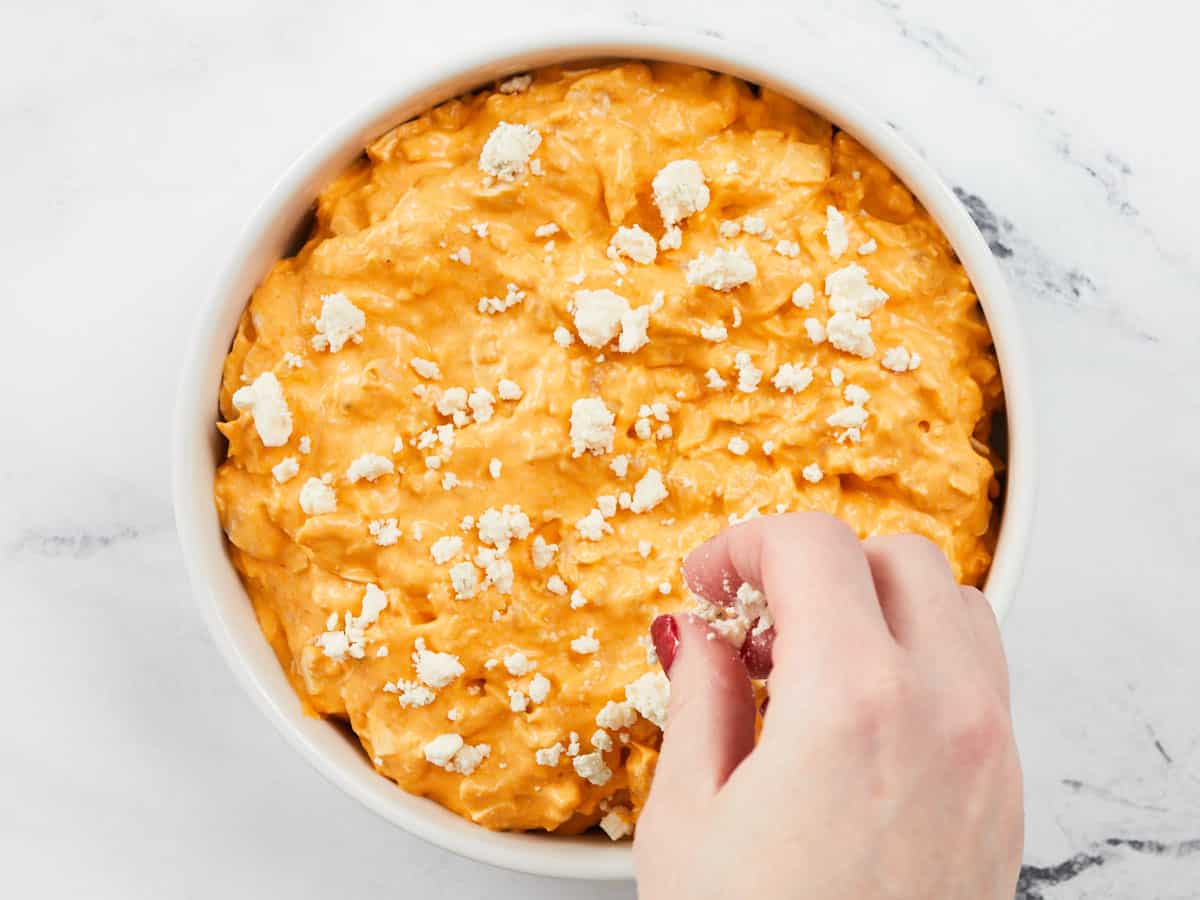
464 254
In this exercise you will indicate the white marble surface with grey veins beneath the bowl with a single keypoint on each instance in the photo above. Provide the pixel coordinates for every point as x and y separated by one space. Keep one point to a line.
139 137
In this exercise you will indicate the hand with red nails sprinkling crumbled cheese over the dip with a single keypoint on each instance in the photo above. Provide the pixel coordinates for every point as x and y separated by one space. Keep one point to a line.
886 766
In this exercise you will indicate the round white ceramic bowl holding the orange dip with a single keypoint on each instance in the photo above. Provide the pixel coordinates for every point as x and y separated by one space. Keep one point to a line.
197 447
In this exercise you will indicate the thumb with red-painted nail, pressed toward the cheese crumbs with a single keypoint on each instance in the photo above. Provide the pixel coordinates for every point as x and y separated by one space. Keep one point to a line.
711 718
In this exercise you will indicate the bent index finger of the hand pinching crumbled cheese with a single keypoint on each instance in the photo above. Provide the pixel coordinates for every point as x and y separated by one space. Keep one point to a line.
818 584
